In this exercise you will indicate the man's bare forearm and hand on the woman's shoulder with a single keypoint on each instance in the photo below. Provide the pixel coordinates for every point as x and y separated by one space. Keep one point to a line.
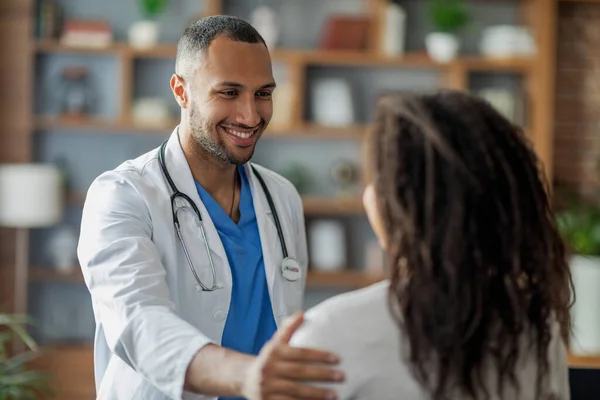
277 372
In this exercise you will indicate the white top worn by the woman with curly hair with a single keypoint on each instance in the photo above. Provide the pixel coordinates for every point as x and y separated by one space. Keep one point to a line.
360 329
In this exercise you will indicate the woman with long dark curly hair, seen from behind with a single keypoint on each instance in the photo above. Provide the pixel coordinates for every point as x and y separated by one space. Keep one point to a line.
479 283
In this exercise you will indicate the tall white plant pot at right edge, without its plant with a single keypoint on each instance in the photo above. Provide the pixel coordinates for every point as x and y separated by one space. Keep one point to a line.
585 314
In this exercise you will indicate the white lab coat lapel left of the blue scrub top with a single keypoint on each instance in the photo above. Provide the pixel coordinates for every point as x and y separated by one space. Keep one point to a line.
182 177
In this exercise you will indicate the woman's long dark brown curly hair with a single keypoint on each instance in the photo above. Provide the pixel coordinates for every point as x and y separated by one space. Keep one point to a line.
474 258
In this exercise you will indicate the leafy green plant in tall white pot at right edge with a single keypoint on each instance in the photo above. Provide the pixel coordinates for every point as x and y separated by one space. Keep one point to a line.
579 224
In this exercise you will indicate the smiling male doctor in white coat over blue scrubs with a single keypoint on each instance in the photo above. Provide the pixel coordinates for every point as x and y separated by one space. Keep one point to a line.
196 260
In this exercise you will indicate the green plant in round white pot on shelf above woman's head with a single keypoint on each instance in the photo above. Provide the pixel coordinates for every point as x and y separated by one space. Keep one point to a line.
448 18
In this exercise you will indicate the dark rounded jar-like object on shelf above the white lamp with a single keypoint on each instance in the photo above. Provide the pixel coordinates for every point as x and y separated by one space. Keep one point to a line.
76 97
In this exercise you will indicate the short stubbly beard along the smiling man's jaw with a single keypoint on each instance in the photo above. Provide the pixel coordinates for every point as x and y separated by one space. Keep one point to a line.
201 131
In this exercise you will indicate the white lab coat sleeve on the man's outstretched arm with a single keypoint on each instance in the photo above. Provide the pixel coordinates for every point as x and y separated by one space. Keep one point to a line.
126 279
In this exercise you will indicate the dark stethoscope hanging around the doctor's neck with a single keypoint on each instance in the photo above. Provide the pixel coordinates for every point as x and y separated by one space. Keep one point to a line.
290 267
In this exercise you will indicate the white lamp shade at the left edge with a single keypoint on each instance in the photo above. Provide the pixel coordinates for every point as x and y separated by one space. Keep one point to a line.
31 195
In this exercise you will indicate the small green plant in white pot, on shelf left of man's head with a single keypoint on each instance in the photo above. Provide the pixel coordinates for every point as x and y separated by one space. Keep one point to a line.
144 34
